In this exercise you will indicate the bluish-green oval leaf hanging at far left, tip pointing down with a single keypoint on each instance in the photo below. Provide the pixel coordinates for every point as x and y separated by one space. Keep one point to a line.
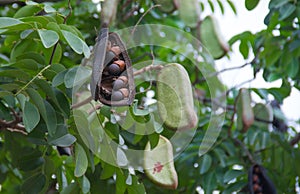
31 116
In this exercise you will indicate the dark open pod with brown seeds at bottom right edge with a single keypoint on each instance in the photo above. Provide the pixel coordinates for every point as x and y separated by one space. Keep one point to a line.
259 182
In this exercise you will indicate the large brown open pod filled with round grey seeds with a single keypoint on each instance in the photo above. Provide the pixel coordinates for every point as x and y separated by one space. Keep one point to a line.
111 63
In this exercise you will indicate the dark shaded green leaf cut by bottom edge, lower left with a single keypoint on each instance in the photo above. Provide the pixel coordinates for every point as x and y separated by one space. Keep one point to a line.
34 184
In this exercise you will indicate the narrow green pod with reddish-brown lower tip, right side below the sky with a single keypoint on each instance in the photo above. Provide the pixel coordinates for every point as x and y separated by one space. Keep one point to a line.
244 110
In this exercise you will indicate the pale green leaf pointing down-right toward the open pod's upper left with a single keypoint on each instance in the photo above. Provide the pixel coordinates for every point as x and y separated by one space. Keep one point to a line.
78 45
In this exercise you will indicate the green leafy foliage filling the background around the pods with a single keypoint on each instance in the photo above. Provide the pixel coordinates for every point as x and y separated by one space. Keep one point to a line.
41 48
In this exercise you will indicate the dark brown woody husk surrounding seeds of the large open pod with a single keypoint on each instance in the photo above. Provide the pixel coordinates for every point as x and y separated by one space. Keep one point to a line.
101 82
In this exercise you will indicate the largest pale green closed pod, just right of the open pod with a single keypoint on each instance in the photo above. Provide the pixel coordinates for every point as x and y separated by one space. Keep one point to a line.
175 98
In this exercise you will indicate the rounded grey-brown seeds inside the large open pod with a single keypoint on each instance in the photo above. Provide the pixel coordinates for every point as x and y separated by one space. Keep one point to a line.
114 83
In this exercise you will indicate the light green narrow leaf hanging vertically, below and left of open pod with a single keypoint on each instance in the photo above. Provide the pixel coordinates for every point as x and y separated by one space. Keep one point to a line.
81 161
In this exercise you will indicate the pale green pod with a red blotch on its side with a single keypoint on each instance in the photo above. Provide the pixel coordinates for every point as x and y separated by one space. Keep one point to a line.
159 164
